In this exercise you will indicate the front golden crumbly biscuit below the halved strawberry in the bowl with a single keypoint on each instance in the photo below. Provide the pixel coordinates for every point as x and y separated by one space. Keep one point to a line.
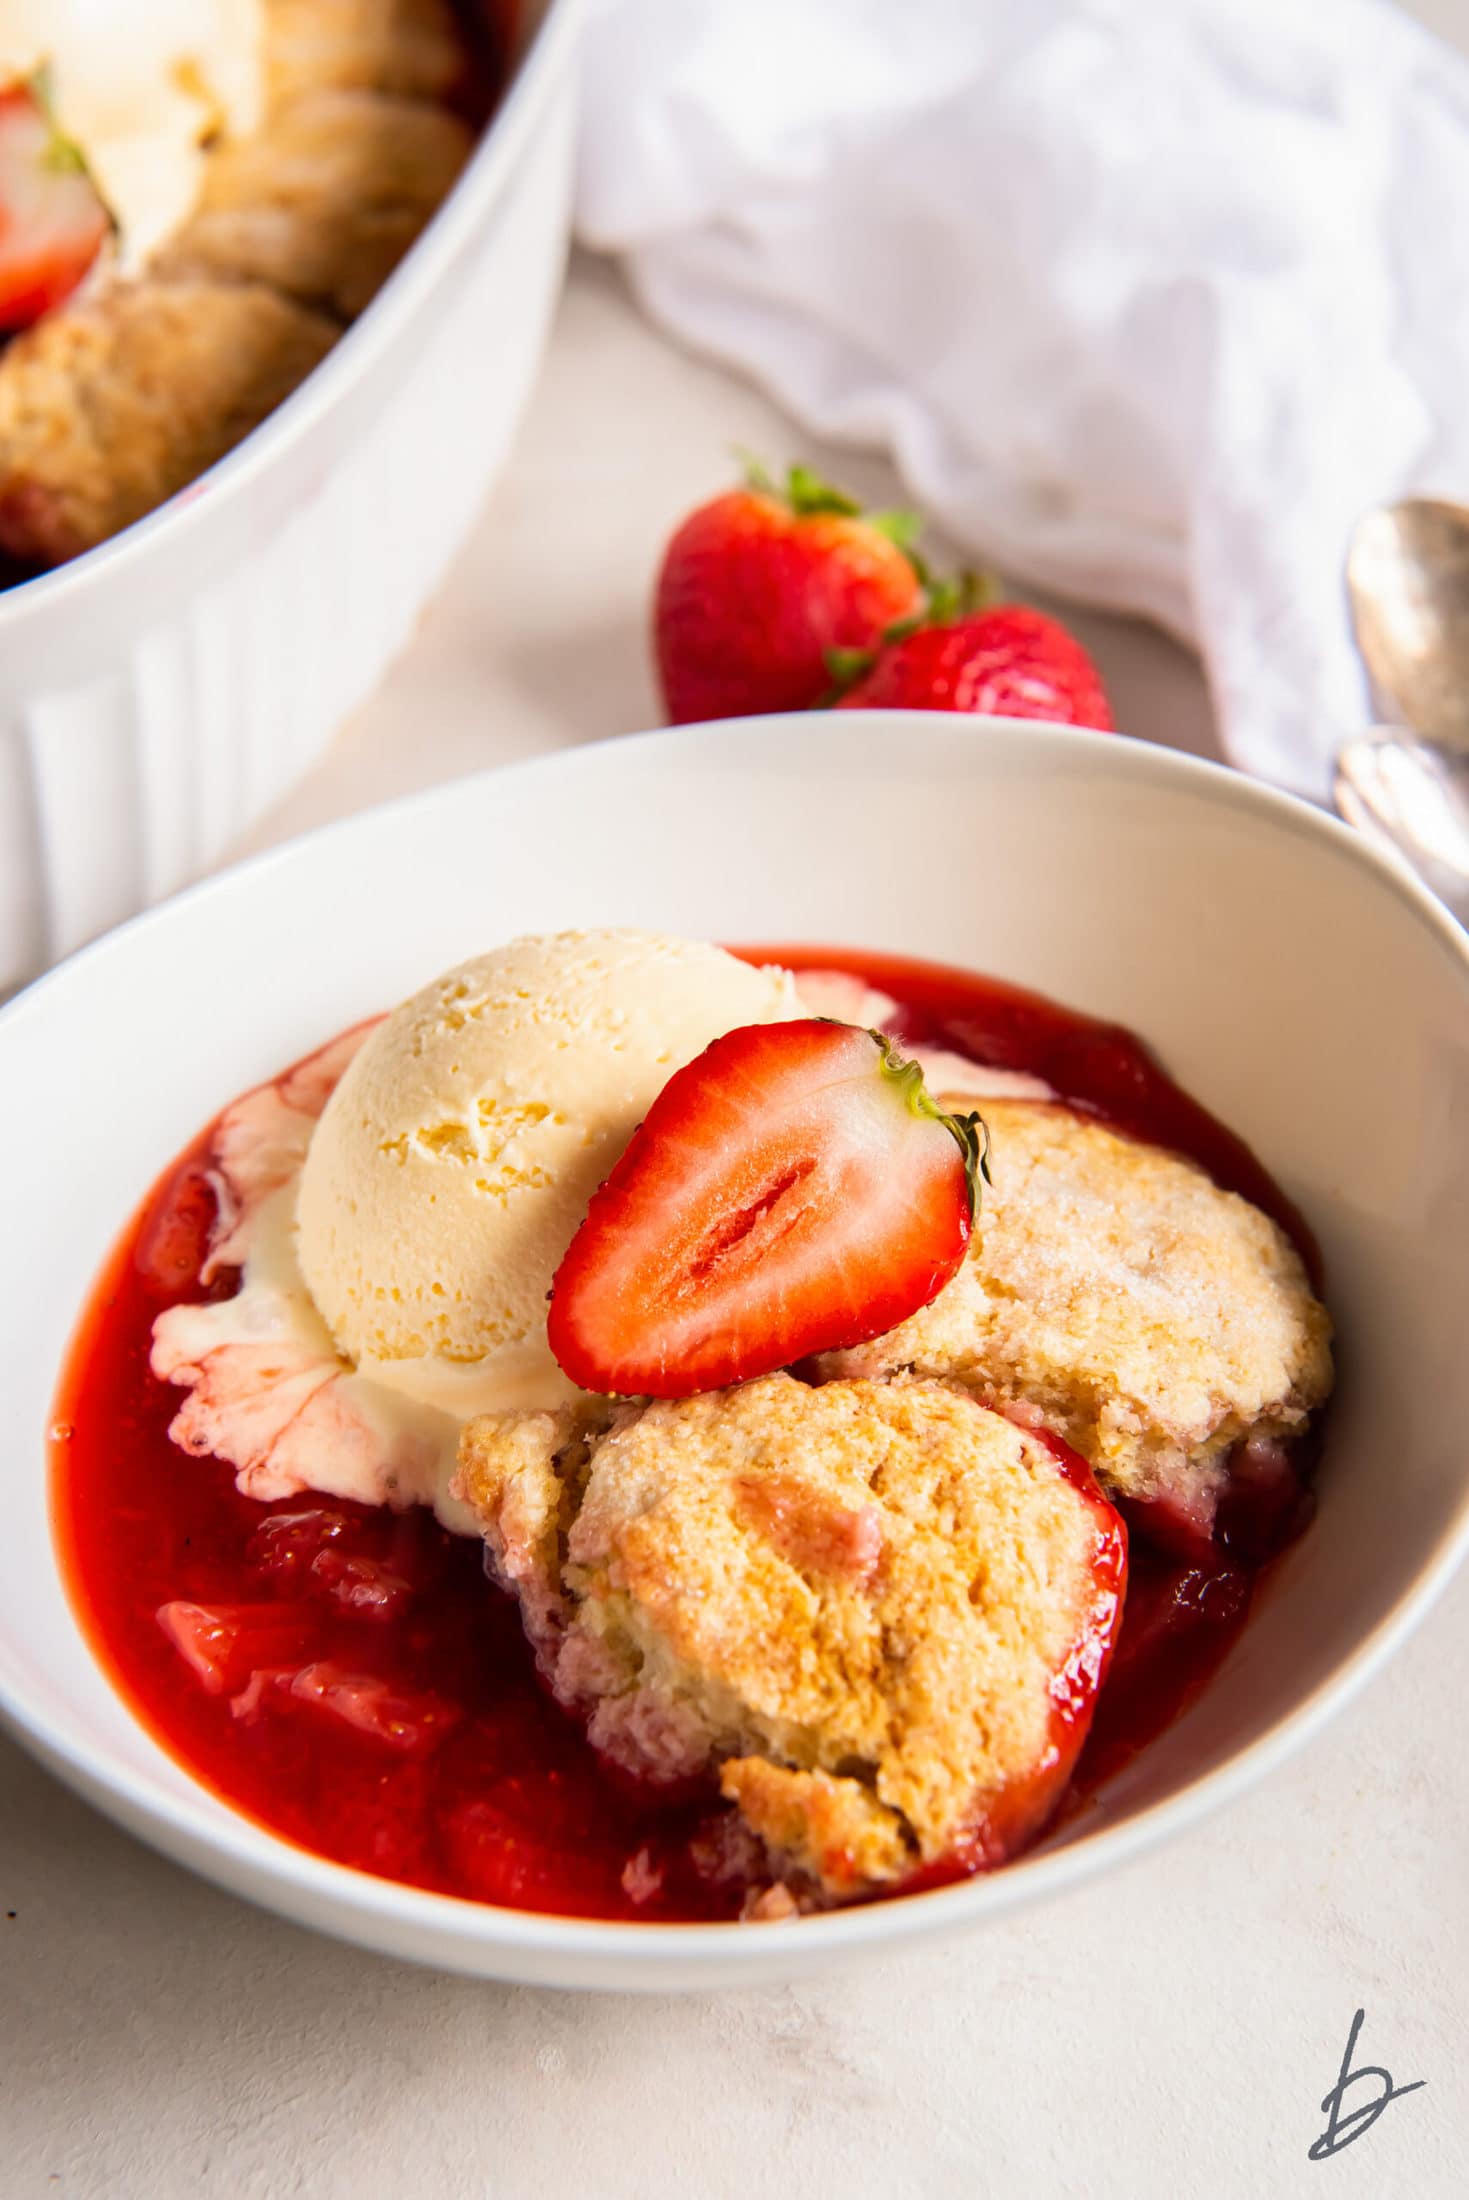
863 1605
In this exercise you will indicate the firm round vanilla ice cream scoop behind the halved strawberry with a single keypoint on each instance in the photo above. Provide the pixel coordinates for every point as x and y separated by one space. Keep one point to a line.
454 1163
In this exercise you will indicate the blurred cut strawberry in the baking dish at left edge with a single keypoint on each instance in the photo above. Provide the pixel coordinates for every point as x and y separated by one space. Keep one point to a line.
52 214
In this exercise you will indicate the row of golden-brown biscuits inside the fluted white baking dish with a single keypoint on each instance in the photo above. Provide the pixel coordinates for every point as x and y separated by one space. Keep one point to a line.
137 386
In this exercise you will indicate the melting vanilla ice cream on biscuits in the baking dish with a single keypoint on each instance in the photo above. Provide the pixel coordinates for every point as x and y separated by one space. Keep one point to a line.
140 89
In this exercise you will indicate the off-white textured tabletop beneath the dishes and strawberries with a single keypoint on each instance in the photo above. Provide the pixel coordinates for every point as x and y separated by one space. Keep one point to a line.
1167 2032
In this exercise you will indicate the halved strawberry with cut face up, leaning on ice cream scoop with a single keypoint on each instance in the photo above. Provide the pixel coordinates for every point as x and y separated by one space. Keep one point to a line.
788 1189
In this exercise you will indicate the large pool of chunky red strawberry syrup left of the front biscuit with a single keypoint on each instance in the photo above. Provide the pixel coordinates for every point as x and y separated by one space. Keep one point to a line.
461 1774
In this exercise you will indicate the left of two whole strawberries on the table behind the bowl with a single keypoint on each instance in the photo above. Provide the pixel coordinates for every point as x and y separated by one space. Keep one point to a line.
762 584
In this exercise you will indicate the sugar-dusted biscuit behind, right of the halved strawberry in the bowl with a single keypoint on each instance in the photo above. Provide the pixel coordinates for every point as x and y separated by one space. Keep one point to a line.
1147 1317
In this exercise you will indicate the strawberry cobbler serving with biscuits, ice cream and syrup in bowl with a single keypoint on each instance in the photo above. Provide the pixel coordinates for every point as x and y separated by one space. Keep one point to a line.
659 1433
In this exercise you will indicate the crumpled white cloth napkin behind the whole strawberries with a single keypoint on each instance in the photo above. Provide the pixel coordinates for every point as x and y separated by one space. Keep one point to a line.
1149 300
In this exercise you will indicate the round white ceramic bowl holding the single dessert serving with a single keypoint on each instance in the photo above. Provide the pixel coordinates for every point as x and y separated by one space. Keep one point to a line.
1290 978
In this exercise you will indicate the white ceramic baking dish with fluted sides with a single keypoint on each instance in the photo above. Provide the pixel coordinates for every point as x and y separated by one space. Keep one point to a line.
166 690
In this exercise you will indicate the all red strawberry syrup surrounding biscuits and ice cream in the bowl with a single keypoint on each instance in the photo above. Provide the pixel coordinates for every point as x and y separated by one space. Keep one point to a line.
351 1680
